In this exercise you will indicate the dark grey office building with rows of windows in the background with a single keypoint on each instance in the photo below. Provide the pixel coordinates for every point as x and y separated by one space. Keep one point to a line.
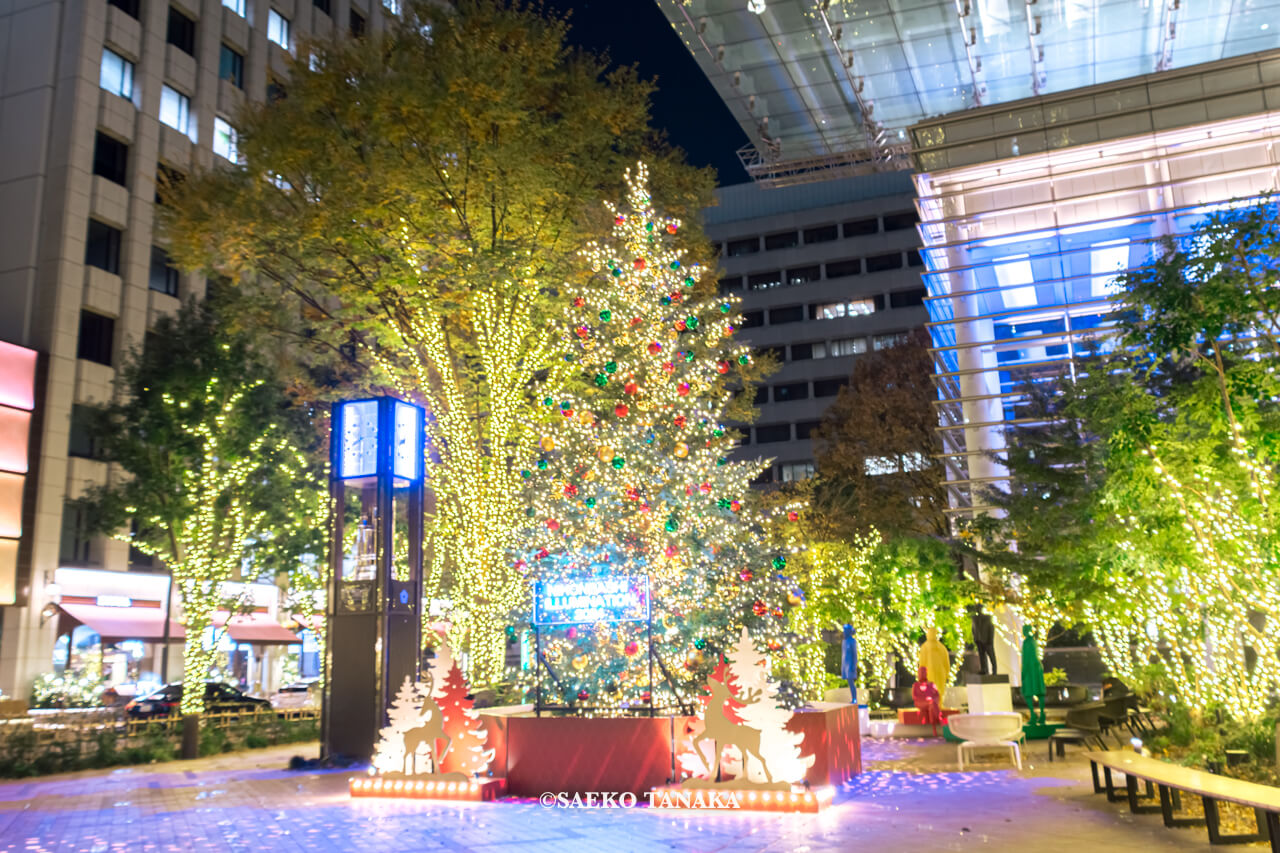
828 272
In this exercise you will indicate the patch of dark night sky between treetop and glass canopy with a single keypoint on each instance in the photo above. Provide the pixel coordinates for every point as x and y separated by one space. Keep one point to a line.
636 33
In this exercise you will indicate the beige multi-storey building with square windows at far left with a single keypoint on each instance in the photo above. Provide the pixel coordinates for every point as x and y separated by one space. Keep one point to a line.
100 102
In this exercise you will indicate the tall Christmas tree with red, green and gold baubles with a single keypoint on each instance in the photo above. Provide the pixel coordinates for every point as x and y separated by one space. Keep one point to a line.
634 475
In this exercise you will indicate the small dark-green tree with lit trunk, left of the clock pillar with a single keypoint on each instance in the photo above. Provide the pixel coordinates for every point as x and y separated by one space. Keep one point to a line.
209 448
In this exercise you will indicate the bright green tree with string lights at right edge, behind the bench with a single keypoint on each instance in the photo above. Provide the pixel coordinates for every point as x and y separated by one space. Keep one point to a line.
1167 509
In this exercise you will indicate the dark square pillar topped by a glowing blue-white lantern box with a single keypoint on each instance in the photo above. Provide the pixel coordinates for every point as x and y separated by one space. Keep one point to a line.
376 601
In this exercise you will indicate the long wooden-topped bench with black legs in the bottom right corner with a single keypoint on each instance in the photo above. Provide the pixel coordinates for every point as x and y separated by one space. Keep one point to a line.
1174 781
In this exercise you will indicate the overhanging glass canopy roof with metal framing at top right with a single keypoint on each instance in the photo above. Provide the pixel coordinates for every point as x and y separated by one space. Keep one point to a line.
817 79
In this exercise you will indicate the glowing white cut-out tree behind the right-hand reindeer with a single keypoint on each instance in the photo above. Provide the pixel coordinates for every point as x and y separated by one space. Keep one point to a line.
779 747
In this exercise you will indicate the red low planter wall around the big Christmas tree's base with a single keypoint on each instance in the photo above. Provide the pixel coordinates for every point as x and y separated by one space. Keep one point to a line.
578 755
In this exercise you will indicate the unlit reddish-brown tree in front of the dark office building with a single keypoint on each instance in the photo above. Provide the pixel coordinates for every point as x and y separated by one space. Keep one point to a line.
877 449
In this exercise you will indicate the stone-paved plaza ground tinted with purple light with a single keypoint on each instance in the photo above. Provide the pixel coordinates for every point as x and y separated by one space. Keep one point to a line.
912 799
